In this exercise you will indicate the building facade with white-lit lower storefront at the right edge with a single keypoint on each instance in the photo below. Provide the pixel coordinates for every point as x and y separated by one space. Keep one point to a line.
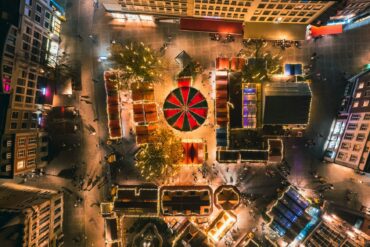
349 141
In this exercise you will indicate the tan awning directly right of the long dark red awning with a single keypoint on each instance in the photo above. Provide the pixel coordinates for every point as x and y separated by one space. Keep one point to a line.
274 31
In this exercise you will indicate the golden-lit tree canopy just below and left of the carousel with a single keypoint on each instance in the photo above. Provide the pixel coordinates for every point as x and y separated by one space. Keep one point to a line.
157 160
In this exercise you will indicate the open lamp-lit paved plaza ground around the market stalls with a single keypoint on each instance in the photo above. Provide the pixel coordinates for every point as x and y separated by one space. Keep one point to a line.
337 54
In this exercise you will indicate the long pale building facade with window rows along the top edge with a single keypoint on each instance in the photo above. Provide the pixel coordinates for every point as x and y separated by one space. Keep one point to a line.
279 11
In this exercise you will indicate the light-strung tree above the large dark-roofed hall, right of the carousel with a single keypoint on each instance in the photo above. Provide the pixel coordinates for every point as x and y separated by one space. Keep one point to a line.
261 62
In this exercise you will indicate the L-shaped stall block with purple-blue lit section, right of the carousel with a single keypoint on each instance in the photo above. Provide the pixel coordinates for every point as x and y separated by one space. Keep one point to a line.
236 116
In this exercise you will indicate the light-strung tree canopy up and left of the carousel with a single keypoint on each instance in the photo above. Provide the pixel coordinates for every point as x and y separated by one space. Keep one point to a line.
137 62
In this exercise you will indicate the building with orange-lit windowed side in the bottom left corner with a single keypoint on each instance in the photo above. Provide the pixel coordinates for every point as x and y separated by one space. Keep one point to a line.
38 214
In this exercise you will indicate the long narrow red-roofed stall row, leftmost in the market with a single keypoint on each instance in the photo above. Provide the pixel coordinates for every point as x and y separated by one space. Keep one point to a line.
111 80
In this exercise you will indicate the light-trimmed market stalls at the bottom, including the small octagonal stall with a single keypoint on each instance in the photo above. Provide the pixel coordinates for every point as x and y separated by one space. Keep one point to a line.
209 215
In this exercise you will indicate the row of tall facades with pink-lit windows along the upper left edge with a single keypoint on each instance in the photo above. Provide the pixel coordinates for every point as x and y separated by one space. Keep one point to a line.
27 51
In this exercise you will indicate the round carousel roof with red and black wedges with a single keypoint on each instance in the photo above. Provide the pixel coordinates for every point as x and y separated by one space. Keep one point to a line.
185 109
